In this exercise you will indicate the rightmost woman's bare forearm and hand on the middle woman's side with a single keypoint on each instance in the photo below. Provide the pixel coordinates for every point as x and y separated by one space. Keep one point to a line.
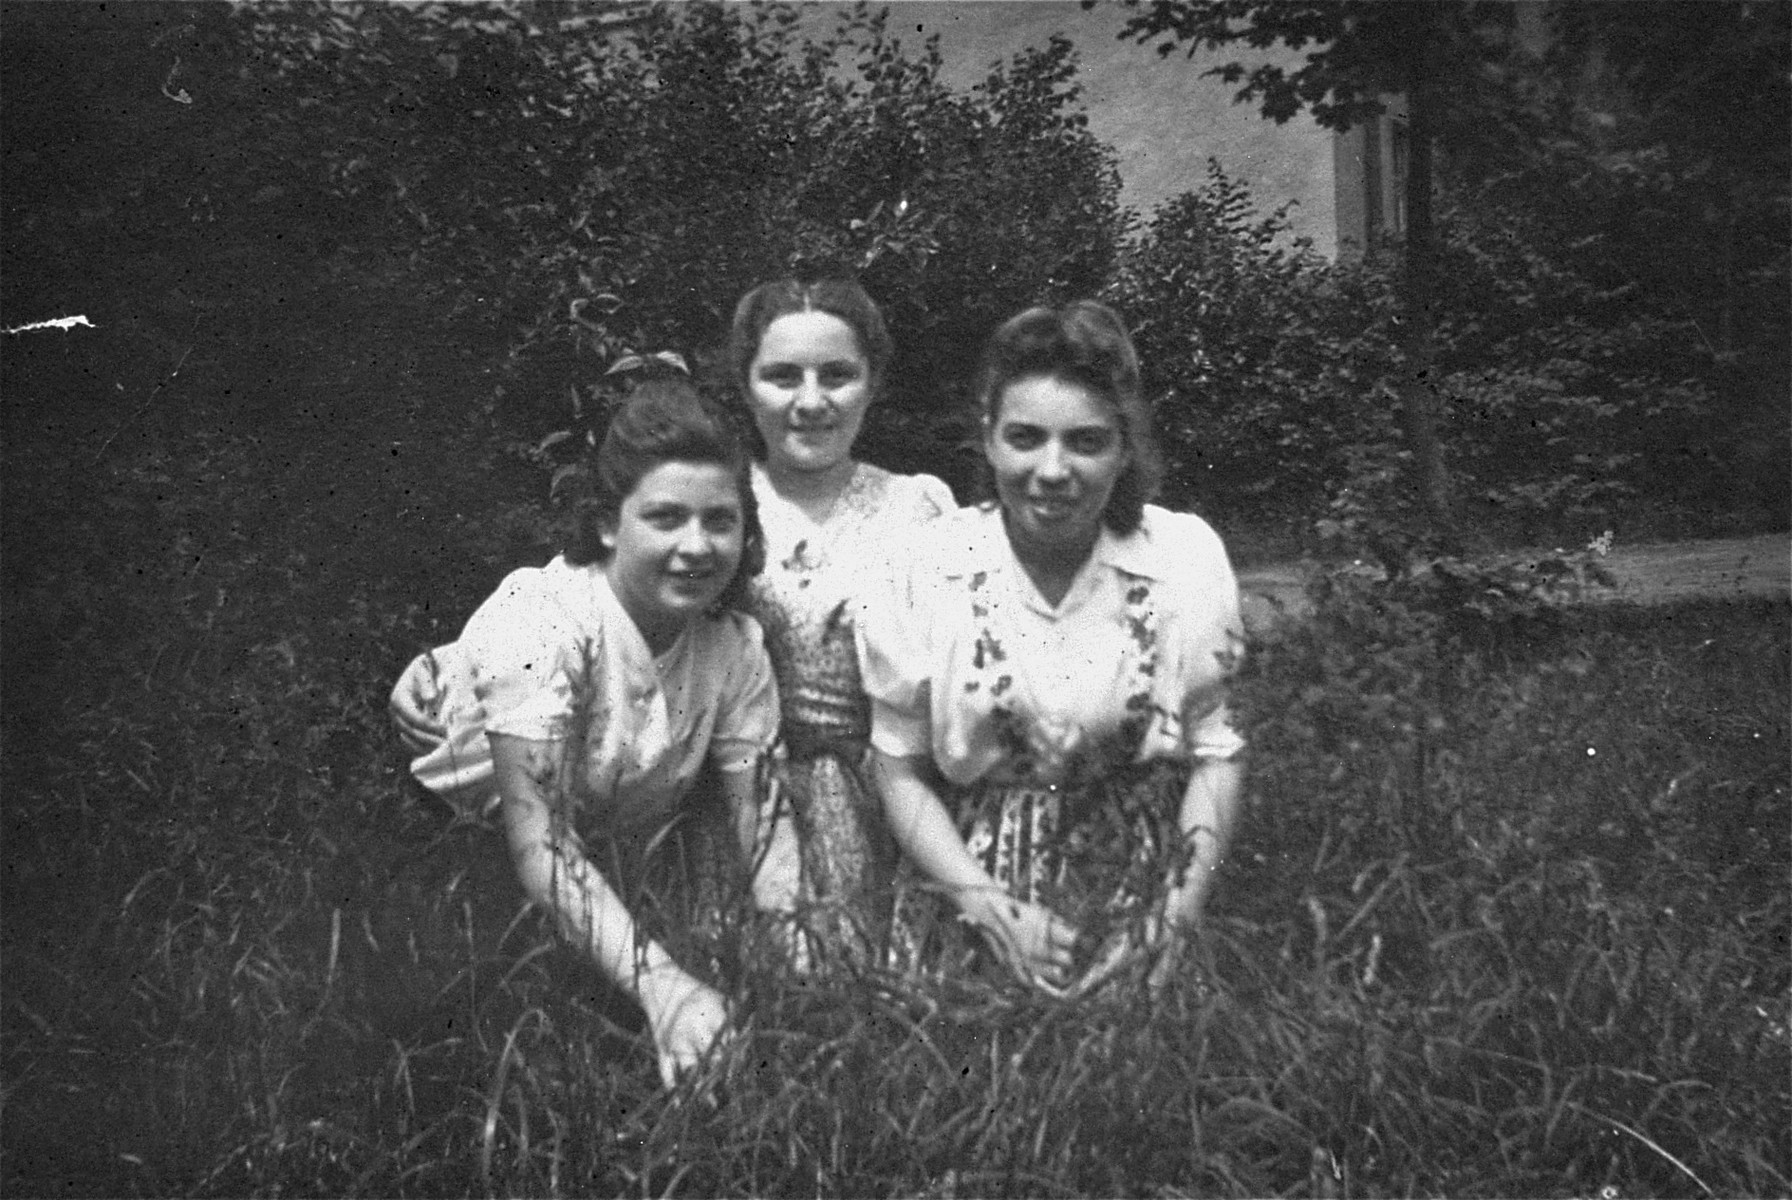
1035 941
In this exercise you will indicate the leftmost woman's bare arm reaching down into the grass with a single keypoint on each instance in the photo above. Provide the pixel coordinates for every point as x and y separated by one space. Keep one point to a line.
684 1015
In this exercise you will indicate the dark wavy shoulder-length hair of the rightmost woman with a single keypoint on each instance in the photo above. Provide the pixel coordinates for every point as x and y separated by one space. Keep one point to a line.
1081 343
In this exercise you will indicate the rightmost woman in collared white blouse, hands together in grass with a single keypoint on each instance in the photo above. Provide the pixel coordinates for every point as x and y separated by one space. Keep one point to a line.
1047 673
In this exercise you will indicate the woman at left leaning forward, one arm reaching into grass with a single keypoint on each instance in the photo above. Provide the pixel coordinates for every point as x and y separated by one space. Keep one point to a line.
608 680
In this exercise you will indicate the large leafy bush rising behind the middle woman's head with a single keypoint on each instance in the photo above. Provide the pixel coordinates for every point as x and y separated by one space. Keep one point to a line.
616 184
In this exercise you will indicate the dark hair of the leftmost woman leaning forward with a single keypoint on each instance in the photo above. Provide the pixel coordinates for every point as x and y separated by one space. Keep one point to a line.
660 422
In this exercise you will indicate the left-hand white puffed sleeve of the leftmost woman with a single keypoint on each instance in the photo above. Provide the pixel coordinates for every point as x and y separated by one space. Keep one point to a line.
526 649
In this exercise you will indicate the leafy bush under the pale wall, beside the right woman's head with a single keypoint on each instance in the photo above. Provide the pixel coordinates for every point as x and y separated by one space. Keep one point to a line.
1261 388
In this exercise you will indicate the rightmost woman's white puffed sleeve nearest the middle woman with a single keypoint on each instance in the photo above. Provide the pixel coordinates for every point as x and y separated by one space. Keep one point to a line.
893 633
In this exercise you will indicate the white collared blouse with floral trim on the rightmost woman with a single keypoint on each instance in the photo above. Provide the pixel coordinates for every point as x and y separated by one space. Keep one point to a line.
969 665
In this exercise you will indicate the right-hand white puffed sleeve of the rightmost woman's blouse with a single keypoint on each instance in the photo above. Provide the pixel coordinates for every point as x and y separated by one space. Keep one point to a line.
1209 642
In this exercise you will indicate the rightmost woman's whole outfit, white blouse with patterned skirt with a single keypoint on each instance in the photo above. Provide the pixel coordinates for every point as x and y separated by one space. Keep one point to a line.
1065 733
